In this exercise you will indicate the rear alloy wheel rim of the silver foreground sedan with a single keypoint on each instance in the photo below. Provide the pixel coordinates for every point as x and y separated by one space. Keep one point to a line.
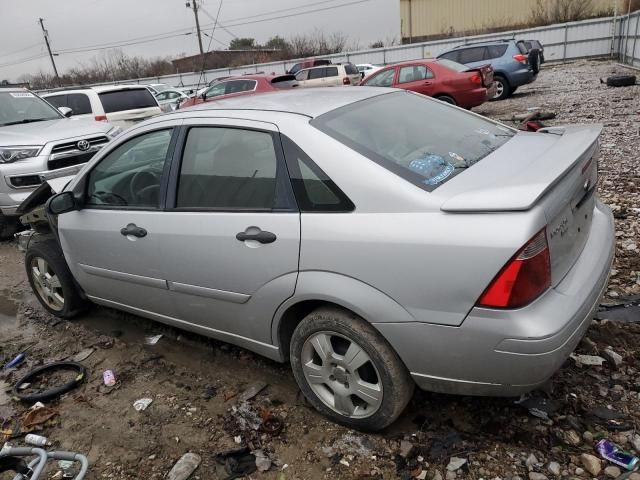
341 374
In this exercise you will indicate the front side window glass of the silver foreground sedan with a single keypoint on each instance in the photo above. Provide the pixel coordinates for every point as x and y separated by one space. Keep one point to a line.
130 175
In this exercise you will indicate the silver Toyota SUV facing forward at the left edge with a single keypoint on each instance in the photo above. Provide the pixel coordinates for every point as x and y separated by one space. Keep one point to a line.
38 142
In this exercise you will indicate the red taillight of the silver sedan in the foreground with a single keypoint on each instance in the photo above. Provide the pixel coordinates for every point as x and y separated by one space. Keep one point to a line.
523 279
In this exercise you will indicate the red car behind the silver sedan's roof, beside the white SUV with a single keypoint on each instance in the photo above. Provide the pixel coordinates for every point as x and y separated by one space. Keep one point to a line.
242 85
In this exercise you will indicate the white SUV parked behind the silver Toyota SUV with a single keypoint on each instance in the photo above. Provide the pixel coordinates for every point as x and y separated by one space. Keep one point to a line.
121 105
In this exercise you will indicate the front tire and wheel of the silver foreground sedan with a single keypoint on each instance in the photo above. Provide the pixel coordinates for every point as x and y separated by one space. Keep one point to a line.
51 280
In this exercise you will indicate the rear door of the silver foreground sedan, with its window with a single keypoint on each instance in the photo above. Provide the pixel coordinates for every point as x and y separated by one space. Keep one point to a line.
234 231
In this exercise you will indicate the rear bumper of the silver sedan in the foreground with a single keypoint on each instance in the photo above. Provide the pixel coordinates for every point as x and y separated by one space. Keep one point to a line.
509 352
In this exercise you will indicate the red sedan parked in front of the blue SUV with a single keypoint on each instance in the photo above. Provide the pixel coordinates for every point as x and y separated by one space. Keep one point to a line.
443 79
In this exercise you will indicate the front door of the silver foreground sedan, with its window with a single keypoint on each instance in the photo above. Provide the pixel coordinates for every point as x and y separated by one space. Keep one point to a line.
111 244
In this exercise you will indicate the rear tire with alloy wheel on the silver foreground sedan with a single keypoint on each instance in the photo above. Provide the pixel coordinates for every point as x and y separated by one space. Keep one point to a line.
359 381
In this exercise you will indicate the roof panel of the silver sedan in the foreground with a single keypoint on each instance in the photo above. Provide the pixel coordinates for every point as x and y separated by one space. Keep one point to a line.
311 102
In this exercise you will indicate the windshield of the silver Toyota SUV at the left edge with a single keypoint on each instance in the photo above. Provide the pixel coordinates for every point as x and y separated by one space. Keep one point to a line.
24 107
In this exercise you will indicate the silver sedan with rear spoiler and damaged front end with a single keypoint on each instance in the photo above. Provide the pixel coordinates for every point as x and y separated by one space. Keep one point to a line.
376 239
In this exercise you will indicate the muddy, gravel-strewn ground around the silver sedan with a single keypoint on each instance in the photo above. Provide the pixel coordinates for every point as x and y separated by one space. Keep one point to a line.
195 383
